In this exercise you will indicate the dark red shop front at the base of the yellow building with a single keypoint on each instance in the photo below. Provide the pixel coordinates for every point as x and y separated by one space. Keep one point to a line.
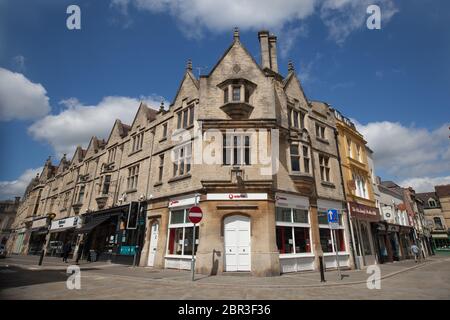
361 218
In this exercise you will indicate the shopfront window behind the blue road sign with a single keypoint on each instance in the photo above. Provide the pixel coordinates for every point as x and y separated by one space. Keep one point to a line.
327 237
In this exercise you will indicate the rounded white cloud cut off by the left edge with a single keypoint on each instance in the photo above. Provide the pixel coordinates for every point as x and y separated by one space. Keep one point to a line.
20 98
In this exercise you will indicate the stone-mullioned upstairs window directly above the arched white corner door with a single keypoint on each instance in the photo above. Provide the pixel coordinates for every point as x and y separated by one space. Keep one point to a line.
236 149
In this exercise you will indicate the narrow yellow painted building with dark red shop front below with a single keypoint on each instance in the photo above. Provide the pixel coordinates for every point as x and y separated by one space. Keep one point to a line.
357 178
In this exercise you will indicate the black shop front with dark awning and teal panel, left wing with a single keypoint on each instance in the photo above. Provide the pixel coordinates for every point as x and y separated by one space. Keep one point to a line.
110 235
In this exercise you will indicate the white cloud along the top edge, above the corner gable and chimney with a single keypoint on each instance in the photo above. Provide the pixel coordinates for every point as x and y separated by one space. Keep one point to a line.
341 17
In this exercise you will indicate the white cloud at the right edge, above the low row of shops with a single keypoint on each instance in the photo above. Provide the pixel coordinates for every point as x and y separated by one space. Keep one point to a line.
407 152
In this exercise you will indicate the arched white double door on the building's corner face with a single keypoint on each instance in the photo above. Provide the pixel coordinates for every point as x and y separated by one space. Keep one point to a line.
237 243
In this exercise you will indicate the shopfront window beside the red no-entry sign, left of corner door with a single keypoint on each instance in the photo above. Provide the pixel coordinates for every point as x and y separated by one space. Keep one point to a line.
180 234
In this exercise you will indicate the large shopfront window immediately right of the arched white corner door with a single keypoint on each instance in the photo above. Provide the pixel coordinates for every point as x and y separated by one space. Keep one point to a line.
292 231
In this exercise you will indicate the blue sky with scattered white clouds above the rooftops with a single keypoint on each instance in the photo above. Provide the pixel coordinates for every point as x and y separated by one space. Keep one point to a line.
395 82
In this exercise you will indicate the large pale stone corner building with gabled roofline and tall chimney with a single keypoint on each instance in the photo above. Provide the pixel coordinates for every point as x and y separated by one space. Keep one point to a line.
266 217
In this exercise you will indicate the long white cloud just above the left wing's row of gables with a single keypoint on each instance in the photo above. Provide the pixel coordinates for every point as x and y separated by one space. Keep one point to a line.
77 123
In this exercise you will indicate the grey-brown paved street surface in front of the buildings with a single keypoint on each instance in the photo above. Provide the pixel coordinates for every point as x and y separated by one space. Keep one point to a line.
21 278
